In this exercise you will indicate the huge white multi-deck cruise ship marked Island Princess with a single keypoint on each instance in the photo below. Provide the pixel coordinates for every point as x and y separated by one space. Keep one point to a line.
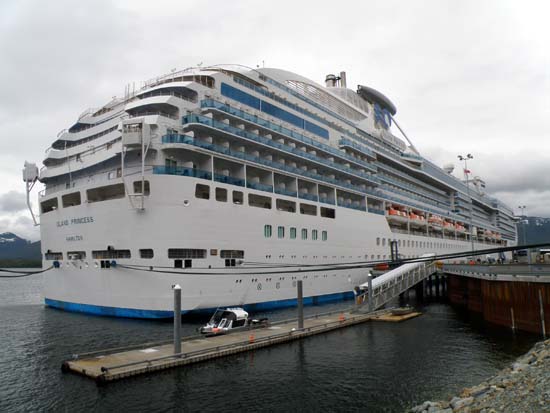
235 183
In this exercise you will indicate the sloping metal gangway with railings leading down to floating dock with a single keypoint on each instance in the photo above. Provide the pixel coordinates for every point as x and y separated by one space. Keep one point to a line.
380 290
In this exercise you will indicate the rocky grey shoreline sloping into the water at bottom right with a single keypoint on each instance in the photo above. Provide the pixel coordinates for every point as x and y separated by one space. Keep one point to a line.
522 387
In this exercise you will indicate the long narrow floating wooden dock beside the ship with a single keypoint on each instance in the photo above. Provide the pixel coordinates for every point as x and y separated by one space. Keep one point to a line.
121 363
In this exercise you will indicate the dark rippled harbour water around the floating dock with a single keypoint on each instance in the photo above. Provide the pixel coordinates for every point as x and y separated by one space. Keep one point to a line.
379 367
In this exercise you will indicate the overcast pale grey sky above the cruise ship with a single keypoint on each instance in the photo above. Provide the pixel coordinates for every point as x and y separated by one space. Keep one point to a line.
466 76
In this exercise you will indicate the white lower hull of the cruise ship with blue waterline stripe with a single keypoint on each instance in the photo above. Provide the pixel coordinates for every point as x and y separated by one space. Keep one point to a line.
82 285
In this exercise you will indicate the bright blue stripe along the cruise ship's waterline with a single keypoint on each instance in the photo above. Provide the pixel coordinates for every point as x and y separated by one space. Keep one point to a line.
156 314
